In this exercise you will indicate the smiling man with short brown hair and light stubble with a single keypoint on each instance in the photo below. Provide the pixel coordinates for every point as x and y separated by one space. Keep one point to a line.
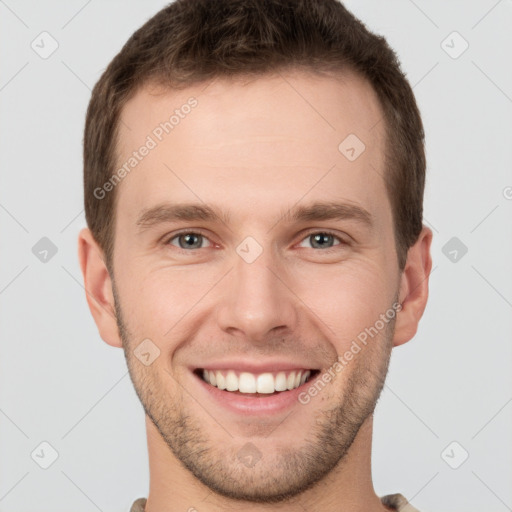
254 174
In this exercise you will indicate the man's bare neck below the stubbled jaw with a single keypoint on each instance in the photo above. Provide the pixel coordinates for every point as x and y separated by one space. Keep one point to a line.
347 487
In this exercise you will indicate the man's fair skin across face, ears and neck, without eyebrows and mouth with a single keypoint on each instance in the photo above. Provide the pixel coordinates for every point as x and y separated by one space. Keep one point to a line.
257 148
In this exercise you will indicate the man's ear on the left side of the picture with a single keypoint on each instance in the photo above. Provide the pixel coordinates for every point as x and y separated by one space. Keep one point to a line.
98 287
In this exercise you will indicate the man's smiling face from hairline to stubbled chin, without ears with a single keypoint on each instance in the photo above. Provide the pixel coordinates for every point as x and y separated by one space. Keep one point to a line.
250 244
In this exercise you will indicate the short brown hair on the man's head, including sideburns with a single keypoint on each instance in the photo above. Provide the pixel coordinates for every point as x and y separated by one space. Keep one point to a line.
191 41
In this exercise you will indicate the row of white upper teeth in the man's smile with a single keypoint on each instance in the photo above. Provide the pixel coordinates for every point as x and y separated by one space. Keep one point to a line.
265 383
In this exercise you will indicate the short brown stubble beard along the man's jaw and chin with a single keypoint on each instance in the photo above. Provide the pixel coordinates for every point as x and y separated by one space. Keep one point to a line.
283 473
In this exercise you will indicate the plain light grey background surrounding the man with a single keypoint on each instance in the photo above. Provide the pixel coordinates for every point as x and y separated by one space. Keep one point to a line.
61 384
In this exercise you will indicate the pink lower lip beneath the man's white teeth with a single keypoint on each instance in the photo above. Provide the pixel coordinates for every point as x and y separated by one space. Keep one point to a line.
251 405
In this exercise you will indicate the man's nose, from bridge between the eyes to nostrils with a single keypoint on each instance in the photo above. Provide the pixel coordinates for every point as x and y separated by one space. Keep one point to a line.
257 302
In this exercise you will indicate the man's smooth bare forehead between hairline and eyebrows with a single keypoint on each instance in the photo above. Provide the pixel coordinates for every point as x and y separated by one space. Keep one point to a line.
280 138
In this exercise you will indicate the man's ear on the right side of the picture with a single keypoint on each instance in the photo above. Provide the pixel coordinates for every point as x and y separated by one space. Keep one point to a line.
413 293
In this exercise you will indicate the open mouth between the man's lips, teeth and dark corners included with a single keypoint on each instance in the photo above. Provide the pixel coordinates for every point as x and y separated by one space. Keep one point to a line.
259 385
